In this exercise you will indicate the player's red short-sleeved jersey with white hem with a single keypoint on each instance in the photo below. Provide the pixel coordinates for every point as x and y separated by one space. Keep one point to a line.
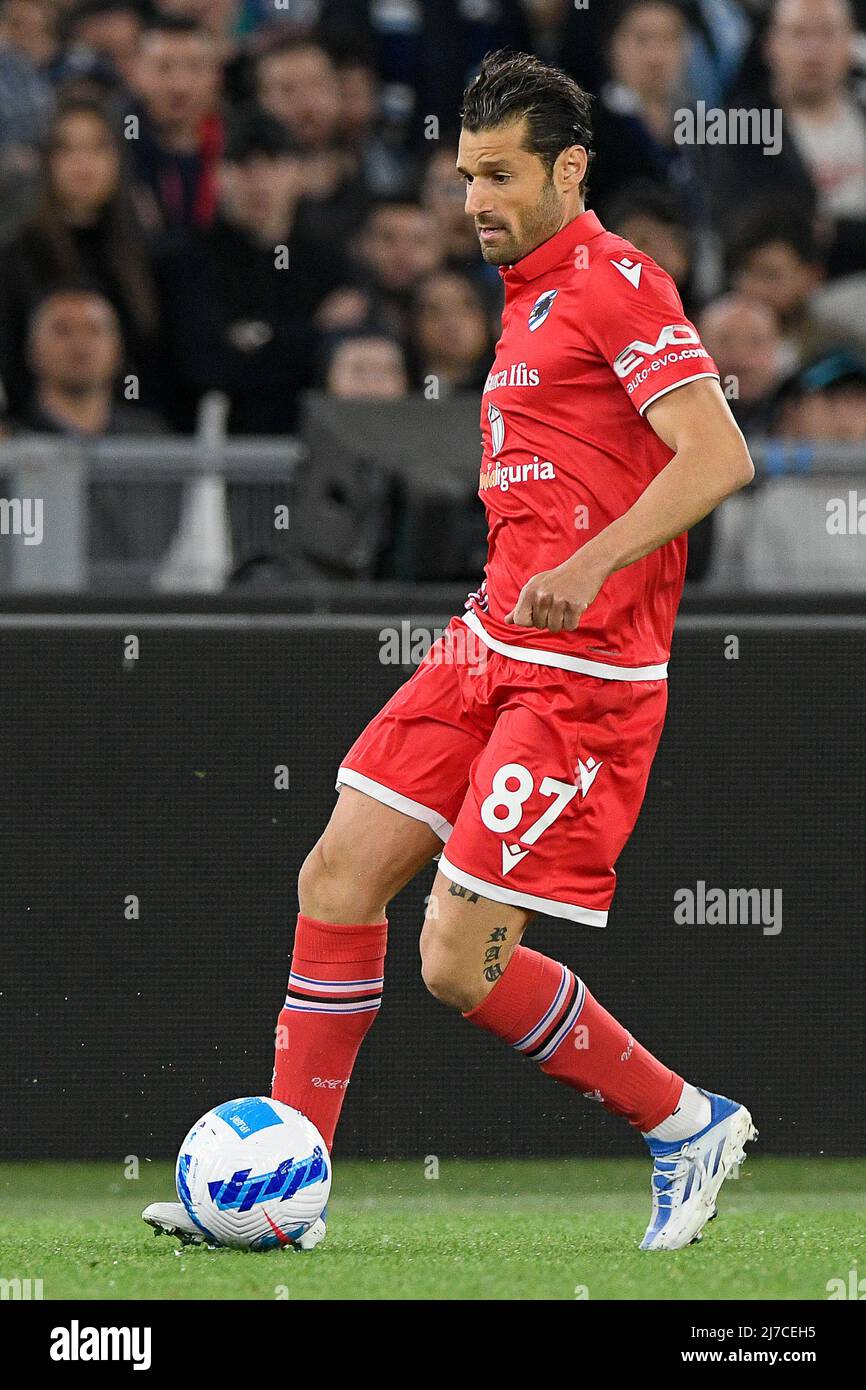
593 333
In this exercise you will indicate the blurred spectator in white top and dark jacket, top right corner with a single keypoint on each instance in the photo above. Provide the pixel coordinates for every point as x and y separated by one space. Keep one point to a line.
821 169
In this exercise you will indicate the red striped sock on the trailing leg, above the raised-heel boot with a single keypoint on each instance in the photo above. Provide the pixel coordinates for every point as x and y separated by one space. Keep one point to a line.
548 1014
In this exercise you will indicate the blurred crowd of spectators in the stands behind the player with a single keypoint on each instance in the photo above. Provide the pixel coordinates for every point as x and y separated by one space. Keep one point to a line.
259 198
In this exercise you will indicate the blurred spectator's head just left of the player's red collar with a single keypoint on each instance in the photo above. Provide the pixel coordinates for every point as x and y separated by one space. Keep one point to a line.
397 247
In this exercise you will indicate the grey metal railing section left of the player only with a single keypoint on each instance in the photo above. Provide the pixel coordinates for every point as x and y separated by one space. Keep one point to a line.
226 497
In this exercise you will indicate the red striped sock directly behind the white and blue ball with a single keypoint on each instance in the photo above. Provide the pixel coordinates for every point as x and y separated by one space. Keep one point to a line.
336 990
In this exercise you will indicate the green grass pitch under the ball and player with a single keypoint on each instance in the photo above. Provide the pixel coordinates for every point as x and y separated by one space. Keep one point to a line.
480 1231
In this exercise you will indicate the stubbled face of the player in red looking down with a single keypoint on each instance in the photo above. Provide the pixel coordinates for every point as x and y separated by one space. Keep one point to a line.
516 205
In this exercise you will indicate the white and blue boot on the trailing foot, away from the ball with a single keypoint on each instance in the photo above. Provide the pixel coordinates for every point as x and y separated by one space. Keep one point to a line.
689 1174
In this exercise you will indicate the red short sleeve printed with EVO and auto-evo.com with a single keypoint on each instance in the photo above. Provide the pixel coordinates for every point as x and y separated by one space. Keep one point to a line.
636 320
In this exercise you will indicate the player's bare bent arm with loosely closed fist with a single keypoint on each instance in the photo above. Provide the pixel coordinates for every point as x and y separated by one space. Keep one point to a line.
710 464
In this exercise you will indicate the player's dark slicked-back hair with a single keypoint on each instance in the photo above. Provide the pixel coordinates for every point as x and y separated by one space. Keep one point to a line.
512 87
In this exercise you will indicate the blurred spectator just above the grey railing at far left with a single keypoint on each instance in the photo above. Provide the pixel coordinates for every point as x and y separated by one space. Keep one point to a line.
76 351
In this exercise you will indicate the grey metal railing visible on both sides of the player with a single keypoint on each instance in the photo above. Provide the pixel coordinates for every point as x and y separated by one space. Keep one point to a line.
227 493
